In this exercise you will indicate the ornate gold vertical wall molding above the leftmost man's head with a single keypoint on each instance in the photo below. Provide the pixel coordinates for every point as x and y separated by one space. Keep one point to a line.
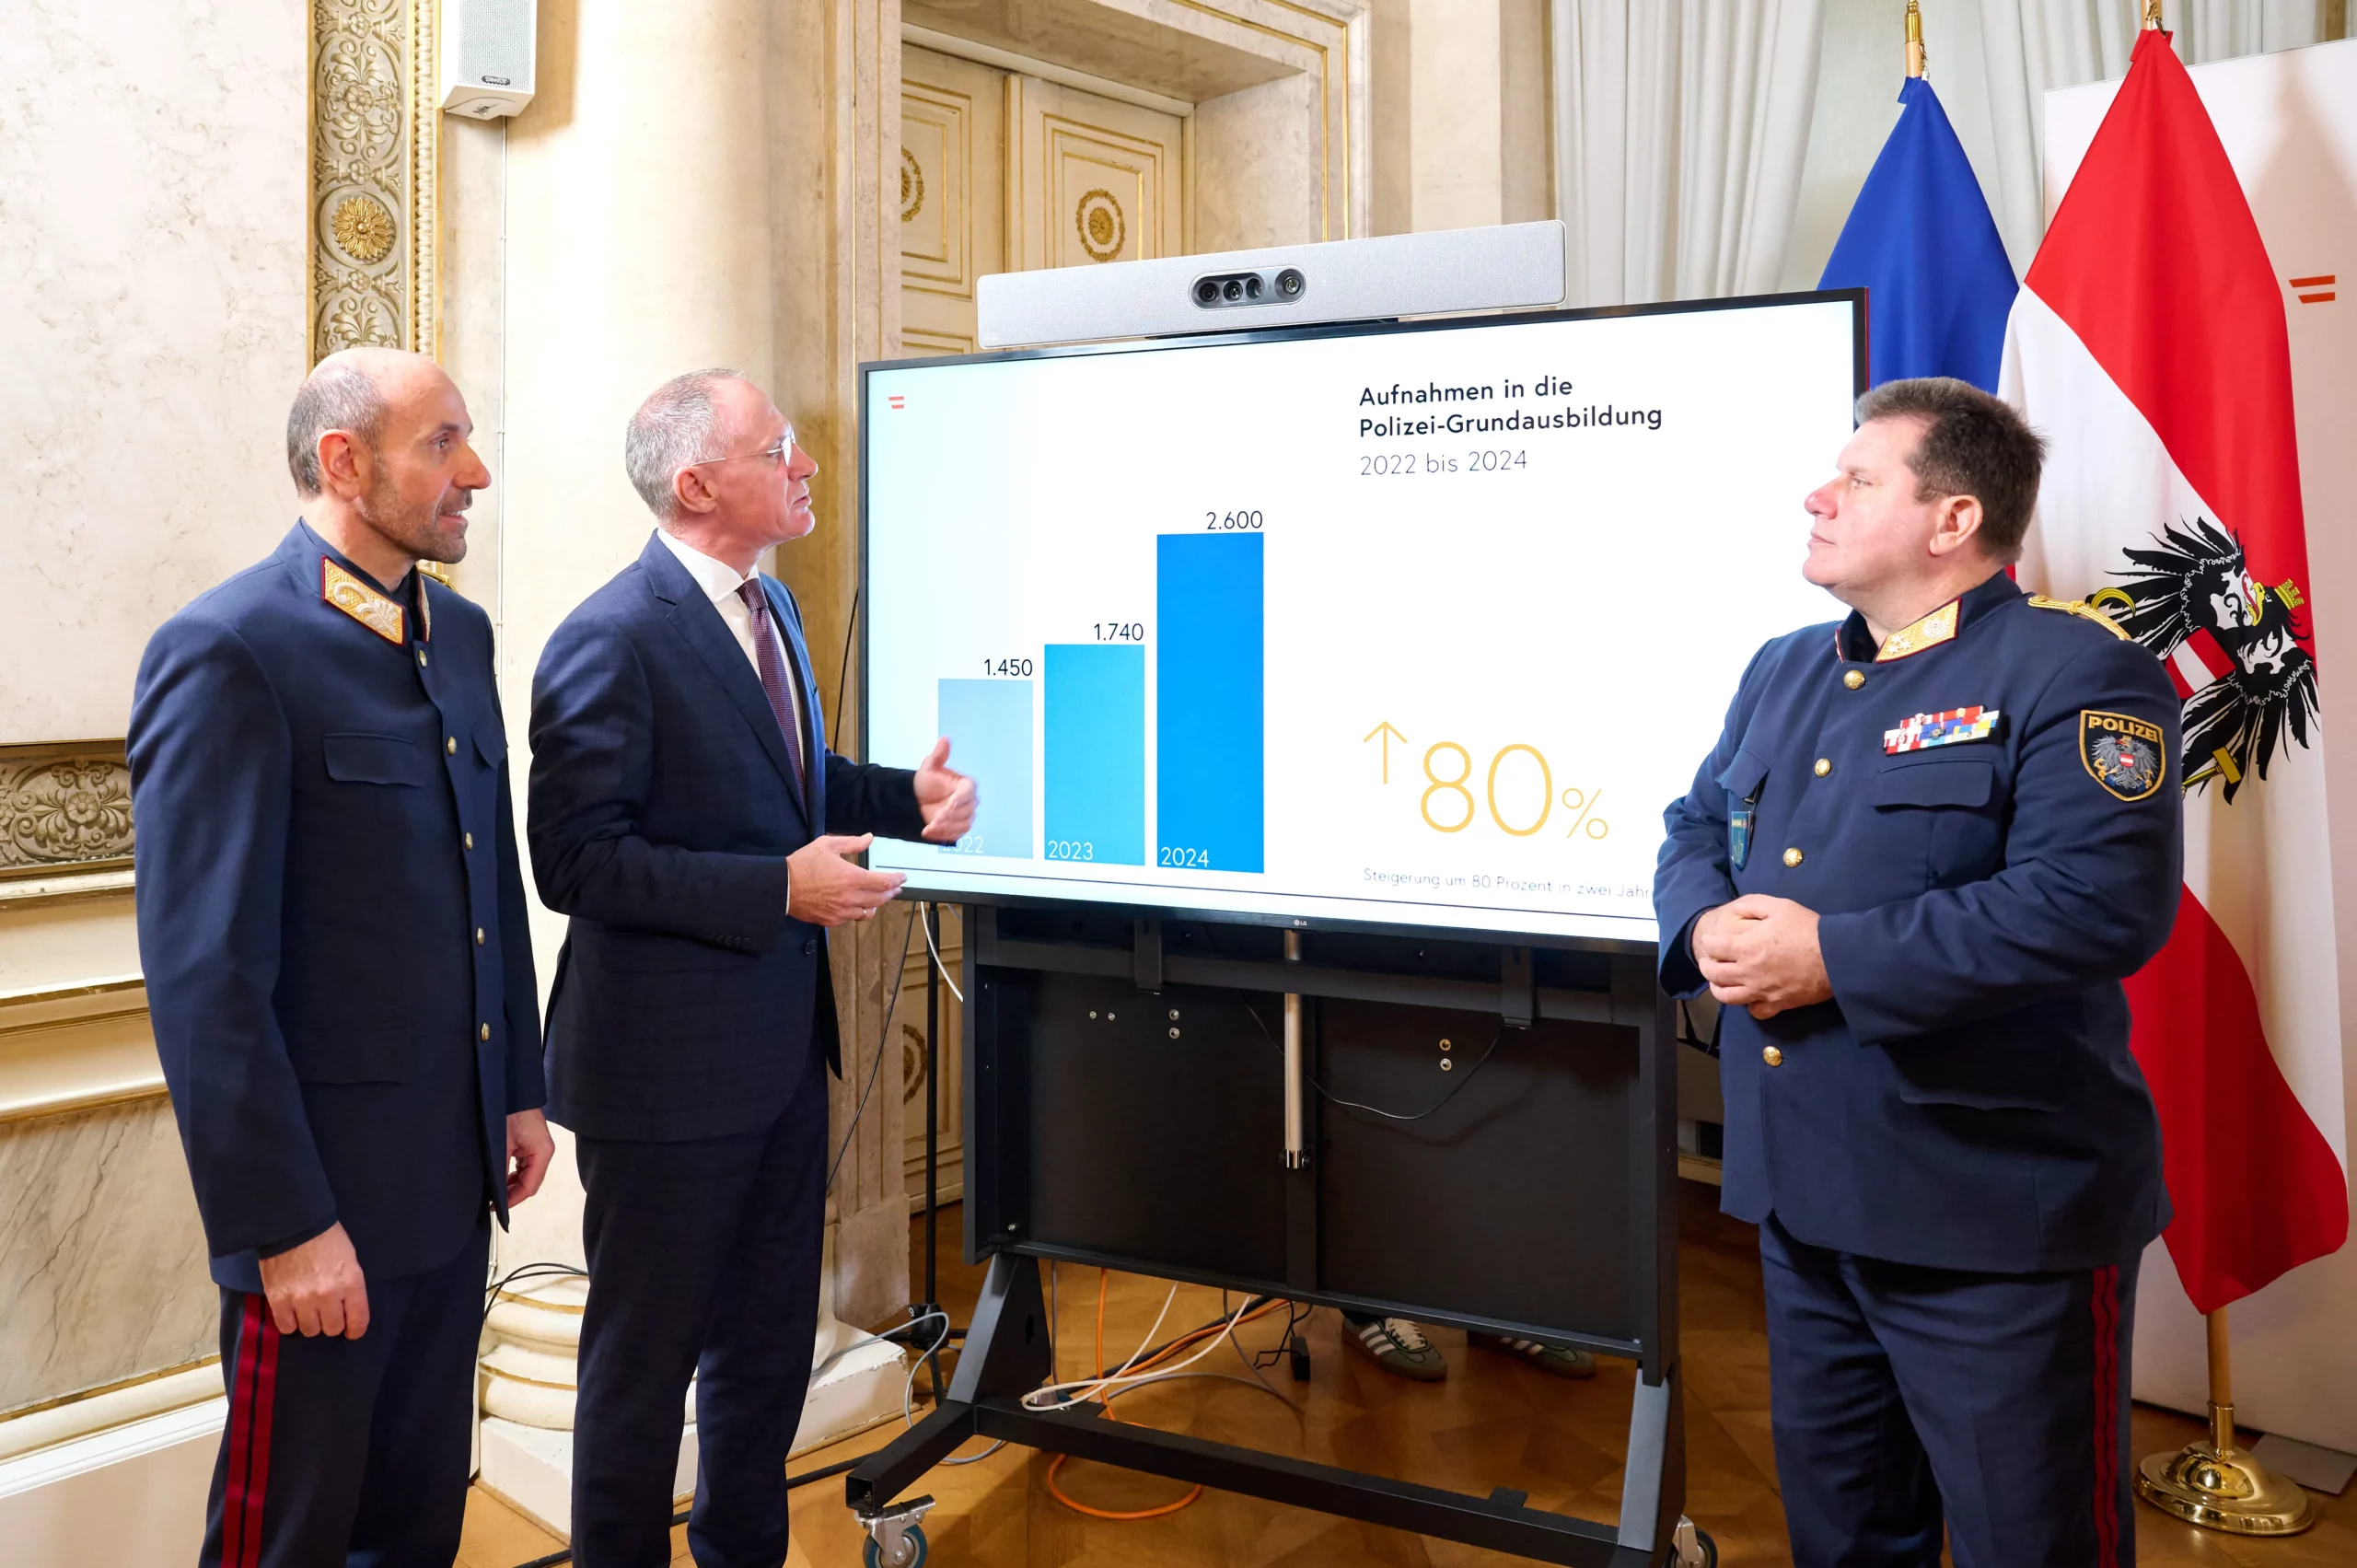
374 176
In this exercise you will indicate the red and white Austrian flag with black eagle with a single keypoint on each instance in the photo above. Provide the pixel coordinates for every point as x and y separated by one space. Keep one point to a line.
2148 343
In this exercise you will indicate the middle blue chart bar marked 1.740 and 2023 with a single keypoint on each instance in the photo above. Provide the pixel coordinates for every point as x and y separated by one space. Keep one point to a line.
1097 753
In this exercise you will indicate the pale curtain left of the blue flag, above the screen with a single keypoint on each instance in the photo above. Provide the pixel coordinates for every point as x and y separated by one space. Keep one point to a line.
1679 140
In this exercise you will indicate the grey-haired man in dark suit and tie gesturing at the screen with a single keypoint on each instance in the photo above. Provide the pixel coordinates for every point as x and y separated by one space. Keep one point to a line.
689 817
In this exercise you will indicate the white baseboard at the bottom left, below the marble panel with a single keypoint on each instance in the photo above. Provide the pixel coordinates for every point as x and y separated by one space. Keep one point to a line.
128 1498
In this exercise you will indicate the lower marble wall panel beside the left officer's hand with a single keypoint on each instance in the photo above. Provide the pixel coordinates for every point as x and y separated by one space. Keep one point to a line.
103 1260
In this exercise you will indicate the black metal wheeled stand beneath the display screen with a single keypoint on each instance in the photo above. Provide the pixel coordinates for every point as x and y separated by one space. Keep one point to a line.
1029 1065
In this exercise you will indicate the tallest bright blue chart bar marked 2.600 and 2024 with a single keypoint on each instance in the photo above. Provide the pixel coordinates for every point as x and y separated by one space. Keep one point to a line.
1210 659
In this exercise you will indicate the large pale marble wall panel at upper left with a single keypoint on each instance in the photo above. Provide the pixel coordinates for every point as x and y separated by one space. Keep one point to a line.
152 230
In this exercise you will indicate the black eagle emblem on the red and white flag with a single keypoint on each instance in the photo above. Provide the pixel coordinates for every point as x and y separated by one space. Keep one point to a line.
2198 588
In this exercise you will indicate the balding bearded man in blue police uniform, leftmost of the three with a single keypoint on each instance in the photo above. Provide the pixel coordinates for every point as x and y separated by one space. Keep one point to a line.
331 921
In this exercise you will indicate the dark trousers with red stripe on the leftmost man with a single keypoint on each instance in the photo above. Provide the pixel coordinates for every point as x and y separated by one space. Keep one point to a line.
350 1451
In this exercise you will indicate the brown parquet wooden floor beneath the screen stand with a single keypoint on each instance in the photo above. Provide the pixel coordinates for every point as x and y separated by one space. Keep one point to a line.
1493 1423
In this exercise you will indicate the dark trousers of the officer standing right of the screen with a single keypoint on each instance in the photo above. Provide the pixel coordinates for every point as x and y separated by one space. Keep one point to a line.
1995 1404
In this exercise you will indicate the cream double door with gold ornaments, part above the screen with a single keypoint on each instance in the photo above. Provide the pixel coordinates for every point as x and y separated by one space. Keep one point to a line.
1005 171
